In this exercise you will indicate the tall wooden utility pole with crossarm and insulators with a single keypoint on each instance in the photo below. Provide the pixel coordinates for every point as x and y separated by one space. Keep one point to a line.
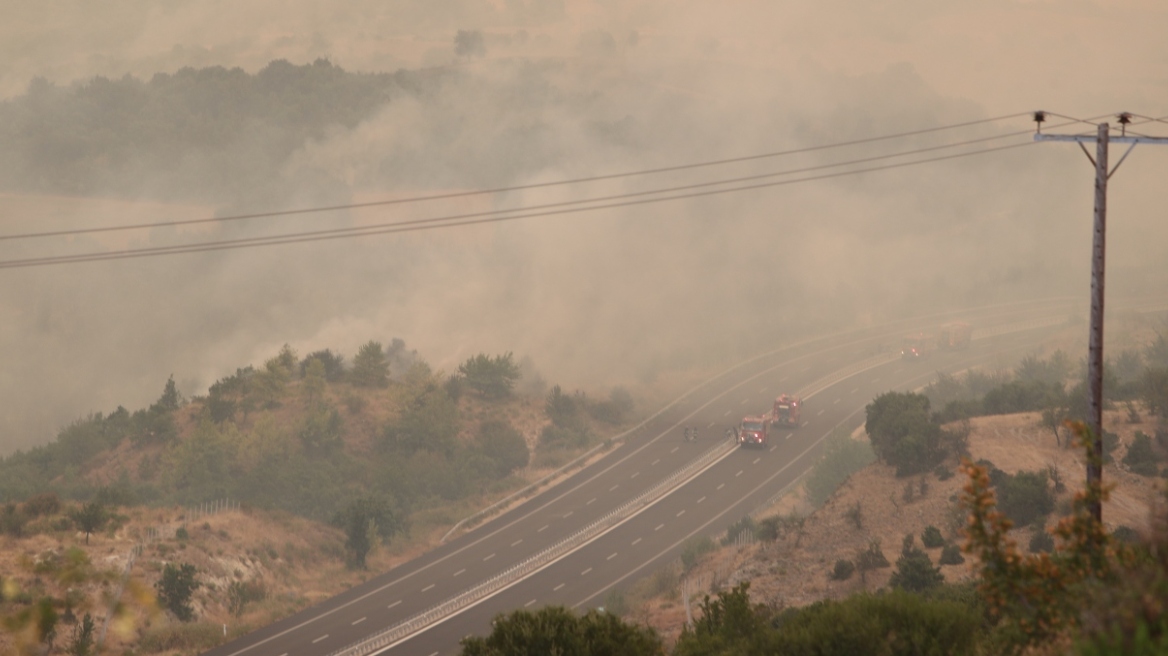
1103 139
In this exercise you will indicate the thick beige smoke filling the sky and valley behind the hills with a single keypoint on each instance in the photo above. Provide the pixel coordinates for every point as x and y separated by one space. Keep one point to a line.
576 89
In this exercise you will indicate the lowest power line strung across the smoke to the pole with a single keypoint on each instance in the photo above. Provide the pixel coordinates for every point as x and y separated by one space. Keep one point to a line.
451 221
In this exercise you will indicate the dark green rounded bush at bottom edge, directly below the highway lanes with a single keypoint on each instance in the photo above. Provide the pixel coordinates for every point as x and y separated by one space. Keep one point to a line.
555 630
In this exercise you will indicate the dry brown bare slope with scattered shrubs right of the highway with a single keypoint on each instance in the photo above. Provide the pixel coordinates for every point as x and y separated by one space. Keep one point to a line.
796 570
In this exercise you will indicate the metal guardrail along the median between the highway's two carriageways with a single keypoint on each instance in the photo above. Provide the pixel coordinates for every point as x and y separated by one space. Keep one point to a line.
395 633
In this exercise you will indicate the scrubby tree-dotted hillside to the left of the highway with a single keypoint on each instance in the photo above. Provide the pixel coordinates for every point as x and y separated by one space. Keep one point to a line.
288 456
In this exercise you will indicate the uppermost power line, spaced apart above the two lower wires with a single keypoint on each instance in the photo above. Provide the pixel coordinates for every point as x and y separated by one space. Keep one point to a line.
505 190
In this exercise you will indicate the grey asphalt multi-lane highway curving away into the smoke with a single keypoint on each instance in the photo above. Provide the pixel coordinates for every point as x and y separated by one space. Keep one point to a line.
838 375
